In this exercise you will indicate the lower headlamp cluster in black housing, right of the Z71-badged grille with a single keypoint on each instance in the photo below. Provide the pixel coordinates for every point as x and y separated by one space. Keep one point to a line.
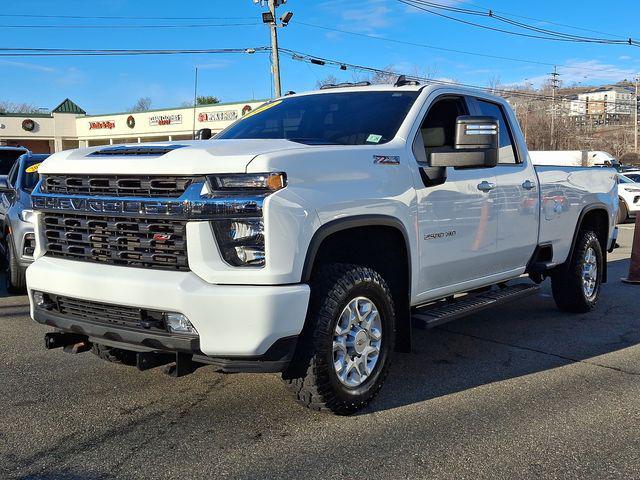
241 241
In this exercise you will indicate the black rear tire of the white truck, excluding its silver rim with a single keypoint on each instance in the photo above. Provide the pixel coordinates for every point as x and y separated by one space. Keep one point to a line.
566 283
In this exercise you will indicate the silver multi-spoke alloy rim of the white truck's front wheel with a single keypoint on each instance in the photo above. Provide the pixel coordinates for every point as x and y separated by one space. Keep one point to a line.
356 342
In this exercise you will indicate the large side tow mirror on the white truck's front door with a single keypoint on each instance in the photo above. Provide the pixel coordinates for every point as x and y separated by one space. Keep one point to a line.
476 144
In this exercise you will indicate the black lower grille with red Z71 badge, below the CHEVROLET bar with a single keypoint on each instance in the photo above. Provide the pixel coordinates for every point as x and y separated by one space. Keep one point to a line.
133 242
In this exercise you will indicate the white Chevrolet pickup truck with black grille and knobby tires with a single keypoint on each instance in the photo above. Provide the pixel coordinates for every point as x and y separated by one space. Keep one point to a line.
311 236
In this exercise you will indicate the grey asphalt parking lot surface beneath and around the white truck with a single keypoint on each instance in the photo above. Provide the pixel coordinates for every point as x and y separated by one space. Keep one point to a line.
520 391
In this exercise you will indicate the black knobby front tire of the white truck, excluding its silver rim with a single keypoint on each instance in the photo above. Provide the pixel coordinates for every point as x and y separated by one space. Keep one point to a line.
330 284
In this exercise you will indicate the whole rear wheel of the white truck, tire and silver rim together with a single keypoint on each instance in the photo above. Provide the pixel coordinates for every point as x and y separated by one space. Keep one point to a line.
576 285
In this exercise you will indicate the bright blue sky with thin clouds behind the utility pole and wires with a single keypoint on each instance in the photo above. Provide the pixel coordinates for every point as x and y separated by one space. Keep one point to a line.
109 84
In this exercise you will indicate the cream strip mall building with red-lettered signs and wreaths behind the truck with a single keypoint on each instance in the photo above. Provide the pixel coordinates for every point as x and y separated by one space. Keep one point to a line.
68 126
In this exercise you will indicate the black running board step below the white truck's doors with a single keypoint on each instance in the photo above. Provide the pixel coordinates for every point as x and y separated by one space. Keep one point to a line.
444 311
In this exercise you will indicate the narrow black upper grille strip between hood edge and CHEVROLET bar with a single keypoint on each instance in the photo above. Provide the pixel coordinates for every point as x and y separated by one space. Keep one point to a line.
118 185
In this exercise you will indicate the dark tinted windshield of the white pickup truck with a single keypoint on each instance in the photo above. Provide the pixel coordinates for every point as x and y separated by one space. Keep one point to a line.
352 118
